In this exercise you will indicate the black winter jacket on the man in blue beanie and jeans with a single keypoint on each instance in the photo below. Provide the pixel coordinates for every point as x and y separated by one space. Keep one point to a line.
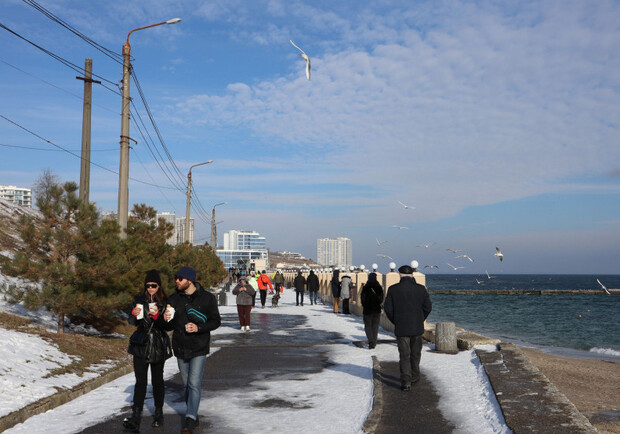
199 308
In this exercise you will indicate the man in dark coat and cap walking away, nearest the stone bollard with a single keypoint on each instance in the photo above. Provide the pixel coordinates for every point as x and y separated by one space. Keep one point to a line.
407 305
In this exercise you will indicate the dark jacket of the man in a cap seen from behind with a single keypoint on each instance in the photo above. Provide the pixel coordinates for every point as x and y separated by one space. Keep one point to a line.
407 305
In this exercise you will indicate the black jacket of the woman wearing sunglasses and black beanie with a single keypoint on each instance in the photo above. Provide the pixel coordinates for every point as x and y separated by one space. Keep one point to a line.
156 348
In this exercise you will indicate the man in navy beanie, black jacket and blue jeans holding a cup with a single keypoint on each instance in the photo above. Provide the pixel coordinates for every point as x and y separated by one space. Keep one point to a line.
195 314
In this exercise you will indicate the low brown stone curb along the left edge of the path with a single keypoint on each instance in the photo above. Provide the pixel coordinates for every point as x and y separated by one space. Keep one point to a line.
62 397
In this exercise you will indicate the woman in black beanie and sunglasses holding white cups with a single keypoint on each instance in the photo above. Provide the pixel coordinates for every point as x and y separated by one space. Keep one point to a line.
150 347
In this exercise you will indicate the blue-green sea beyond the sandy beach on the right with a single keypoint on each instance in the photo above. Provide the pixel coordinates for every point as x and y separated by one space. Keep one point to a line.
577 325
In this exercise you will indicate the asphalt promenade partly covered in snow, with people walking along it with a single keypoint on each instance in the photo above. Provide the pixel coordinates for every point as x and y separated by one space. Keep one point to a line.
304 369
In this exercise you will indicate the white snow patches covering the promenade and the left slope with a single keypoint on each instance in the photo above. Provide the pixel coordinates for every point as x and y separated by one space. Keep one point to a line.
341 395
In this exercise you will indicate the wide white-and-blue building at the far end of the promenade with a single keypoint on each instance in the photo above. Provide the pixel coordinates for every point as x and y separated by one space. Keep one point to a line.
244 247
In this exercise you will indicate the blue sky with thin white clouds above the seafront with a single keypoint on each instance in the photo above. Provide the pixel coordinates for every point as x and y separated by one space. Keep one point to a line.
496 122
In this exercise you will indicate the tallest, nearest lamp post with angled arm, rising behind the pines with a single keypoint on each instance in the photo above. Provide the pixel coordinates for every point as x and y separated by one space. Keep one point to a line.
123 172
